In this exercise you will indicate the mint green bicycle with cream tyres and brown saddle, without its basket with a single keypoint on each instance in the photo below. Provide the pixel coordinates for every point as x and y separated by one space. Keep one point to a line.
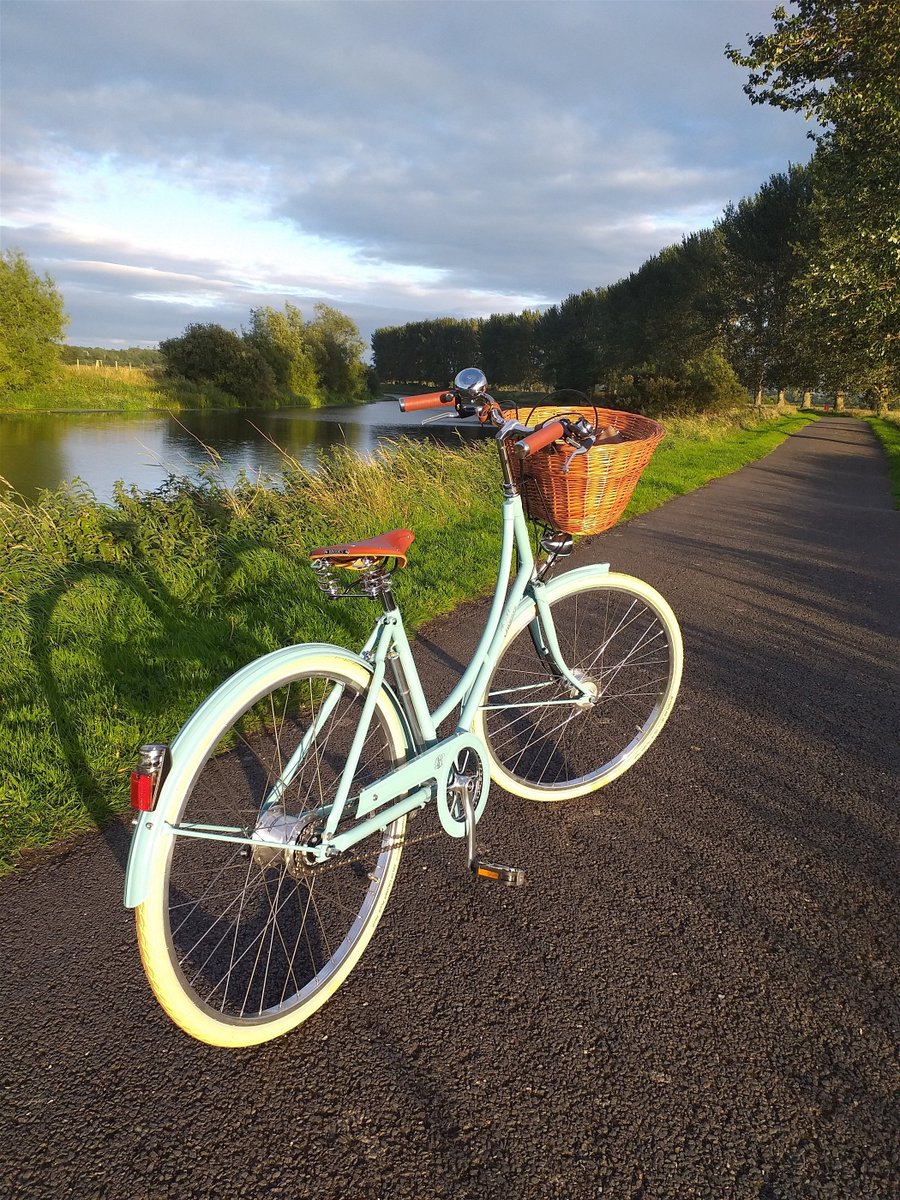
271 831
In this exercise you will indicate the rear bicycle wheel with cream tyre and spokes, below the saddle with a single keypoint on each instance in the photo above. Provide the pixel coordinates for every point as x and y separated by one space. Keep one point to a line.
242 944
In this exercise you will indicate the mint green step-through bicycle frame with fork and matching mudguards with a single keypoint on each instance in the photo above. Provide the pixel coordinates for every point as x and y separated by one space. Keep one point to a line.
425 775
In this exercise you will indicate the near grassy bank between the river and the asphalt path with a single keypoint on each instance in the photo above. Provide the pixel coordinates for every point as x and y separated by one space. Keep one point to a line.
116 621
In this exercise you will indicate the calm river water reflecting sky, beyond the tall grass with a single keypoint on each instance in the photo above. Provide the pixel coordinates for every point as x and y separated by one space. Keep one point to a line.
41 451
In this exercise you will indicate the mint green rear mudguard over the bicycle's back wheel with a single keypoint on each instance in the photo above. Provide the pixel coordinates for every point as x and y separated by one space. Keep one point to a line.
189 749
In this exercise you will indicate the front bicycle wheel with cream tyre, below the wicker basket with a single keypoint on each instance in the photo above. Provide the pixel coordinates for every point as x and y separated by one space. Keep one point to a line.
621 640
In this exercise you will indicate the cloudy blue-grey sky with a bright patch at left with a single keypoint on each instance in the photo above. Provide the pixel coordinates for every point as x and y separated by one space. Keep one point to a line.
178 161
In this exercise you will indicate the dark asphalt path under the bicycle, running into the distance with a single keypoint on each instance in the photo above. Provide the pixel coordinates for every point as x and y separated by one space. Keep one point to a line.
697 995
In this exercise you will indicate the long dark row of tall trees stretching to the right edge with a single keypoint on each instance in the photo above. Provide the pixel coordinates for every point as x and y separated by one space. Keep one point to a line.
795 287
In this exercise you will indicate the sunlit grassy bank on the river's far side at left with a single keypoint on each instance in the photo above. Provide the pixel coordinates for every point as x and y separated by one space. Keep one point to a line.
125 391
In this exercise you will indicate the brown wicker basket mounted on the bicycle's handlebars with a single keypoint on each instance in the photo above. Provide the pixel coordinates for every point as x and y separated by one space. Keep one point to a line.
595 493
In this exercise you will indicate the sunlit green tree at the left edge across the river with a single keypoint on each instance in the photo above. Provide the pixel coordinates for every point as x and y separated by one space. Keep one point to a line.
32 325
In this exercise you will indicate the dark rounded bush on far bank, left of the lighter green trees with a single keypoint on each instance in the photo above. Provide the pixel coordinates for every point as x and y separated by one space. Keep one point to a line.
218 356
